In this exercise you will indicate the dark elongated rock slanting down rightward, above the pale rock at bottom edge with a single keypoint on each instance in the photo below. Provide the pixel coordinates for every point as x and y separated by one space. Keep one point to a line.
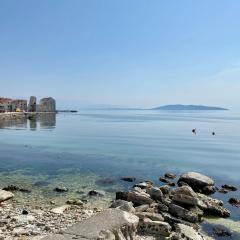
183 213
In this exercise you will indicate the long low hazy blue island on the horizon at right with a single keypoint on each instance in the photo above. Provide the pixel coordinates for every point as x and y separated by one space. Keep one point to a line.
188 107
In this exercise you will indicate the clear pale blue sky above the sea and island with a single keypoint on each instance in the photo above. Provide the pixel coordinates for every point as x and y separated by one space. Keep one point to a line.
136 53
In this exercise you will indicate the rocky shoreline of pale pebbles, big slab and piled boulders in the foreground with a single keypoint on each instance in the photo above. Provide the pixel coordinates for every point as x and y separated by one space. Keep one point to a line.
144 211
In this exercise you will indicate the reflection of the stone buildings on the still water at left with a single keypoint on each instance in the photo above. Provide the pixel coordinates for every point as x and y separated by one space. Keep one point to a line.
35 122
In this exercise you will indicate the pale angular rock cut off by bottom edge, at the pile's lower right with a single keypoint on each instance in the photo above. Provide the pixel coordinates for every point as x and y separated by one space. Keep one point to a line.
184 232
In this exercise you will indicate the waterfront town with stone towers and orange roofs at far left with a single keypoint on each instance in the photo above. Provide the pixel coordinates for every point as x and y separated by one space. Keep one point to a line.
21 105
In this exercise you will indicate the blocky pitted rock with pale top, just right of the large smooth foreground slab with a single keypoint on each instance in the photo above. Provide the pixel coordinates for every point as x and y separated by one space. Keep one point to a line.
148 226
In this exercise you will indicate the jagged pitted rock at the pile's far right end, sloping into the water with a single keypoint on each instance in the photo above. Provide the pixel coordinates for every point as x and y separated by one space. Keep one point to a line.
212 206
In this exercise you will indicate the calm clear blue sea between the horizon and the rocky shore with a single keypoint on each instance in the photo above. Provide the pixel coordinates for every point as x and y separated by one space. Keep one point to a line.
93 149
